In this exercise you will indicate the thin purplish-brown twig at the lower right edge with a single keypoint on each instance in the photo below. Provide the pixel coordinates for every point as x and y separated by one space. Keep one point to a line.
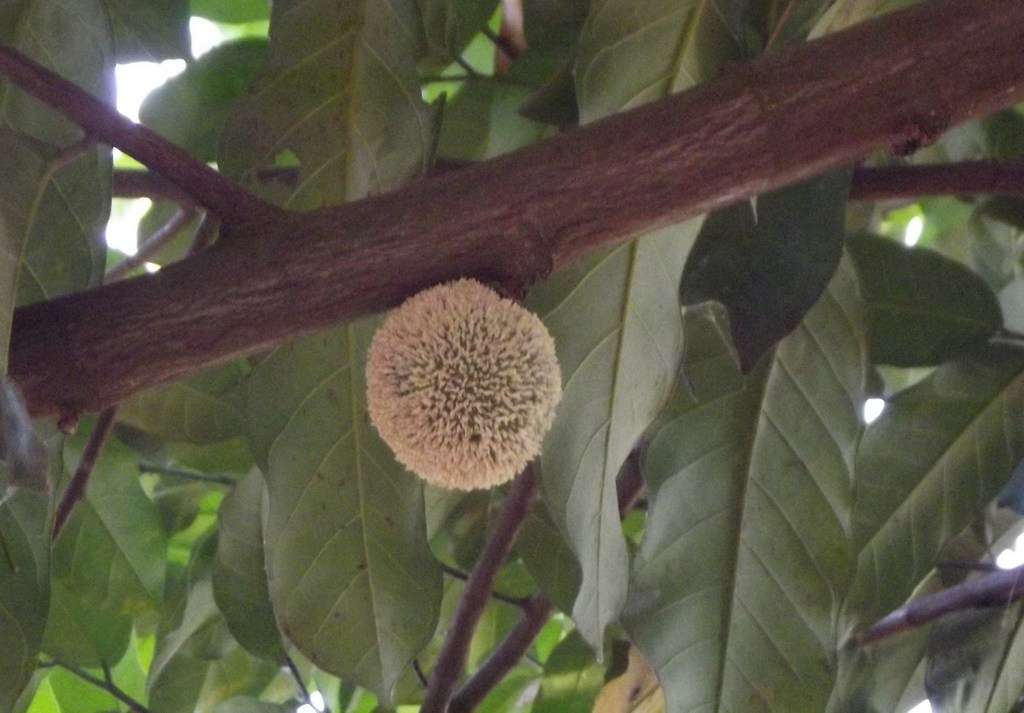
995 590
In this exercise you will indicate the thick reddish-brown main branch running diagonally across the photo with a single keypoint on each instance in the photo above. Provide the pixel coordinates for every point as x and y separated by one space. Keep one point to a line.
791 115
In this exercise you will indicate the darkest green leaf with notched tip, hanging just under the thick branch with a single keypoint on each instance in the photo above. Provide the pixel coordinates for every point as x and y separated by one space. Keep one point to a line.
769 264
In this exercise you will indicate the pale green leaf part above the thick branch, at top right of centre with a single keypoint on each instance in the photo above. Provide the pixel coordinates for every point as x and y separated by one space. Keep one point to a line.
633 53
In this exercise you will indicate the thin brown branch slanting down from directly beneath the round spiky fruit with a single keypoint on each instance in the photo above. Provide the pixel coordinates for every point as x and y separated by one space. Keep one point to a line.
453 656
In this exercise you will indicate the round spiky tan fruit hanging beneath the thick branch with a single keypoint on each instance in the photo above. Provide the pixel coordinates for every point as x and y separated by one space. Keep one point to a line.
463 385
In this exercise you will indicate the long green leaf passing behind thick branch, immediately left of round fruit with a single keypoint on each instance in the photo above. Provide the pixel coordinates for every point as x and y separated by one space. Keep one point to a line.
353 581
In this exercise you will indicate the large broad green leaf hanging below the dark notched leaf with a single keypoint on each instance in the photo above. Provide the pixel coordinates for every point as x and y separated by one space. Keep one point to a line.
736 592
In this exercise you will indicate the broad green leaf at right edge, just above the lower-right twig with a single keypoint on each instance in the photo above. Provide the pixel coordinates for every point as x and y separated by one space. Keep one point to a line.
940 453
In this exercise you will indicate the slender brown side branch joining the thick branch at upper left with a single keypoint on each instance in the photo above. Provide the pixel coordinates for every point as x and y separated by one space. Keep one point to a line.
106 124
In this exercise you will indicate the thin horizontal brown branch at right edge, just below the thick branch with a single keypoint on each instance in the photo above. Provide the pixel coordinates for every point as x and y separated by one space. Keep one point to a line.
942 180
